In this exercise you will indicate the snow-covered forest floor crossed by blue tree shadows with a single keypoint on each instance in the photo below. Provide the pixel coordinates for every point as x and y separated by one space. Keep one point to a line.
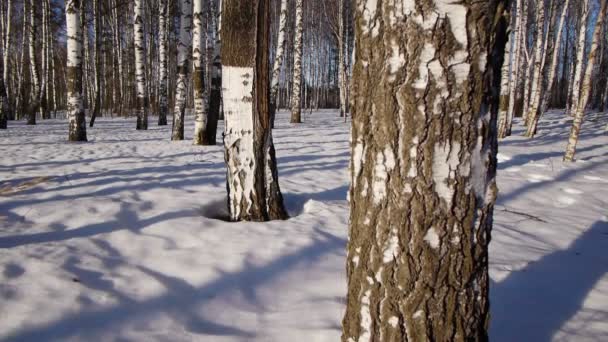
114 239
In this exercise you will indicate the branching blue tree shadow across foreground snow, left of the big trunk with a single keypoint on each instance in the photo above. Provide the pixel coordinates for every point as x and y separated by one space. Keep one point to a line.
181 301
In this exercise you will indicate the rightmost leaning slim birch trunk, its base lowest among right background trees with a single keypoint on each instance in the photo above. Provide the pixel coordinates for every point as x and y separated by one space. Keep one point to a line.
586 84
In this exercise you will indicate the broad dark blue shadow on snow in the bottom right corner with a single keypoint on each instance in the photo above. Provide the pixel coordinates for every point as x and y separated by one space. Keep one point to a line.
534 303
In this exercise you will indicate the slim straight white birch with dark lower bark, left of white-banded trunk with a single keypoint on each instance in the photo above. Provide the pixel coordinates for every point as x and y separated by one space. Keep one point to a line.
198 79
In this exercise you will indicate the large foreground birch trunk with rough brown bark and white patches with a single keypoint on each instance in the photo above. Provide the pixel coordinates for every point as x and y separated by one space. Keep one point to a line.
423 169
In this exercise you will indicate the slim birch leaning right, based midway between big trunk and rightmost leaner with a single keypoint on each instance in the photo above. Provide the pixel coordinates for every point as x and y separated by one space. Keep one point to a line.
545 91
